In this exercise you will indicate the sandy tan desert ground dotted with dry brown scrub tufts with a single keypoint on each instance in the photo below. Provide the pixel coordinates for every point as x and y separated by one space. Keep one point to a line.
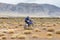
43 29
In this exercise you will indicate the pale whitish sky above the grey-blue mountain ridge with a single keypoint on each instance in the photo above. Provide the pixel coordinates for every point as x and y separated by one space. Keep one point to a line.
53 2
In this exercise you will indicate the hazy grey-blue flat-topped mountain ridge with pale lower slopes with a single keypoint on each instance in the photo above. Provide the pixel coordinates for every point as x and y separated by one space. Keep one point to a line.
30 9
